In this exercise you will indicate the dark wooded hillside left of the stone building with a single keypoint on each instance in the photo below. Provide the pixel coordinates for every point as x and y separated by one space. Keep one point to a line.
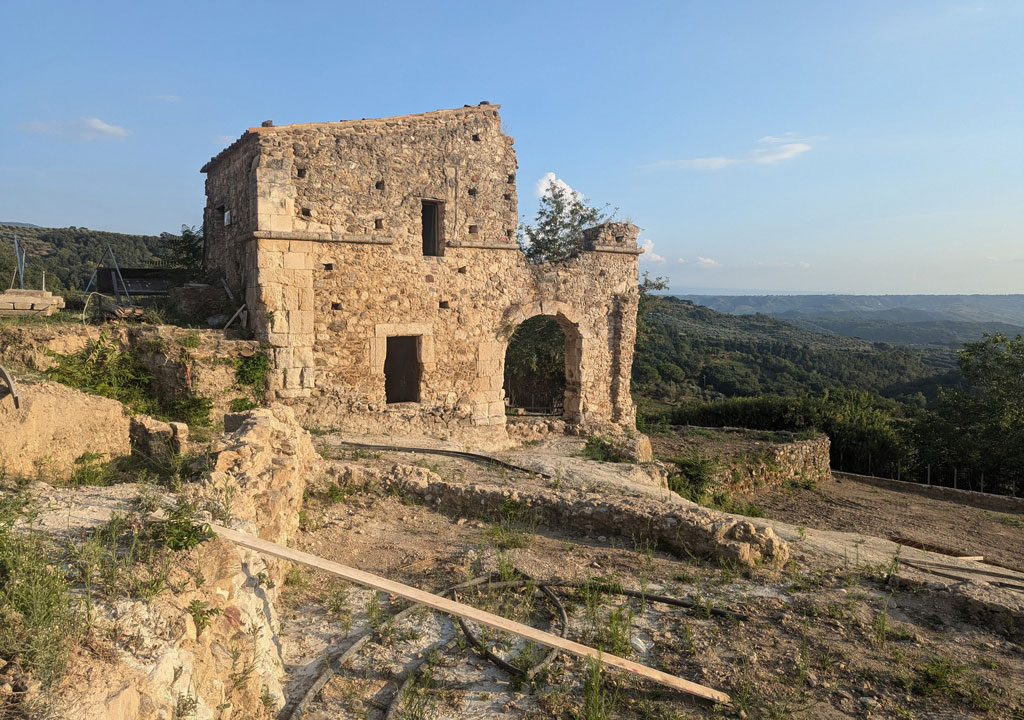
69 256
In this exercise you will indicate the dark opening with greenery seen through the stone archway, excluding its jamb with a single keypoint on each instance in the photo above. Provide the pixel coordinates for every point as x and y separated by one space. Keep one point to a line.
535 368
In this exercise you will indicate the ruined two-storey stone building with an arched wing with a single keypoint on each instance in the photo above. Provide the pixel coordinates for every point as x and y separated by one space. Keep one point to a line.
379 262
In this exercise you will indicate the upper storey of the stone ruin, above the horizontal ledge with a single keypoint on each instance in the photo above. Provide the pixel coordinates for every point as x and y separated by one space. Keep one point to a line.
418 183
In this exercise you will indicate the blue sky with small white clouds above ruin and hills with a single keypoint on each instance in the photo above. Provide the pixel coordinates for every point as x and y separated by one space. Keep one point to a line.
763 147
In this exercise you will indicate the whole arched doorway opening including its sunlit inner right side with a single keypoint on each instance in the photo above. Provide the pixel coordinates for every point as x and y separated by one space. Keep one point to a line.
541 372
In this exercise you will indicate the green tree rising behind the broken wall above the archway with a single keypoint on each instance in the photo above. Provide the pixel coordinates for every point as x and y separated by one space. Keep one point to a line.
558 230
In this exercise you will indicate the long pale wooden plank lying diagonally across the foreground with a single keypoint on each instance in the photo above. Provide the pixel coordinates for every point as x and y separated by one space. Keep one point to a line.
457 609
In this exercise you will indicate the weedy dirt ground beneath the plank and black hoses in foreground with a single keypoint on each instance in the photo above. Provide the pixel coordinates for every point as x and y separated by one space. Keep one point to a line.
822 640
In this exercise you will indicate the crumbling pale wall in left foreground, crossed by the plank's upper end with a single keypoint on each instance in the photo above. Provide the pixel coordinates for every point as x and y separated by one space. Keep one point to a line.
206 647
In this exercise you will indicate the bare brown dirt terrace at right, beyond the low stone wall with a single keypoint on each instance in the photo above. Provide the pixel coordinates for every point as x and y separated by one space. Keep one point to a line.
902 513
